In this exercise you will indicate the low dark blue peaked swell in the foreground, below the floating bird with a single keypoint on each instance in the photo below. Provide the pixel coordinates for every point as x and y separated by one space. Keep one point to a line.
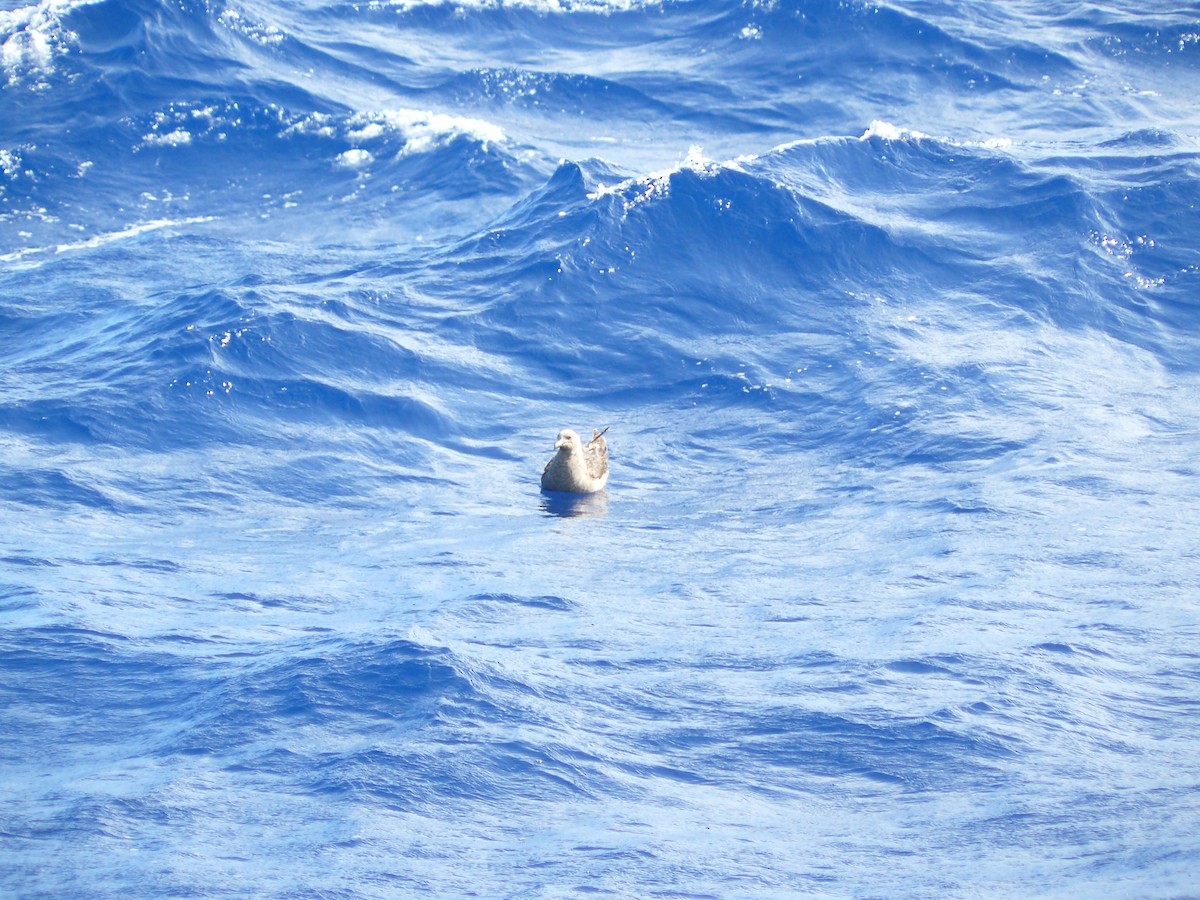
425 736
